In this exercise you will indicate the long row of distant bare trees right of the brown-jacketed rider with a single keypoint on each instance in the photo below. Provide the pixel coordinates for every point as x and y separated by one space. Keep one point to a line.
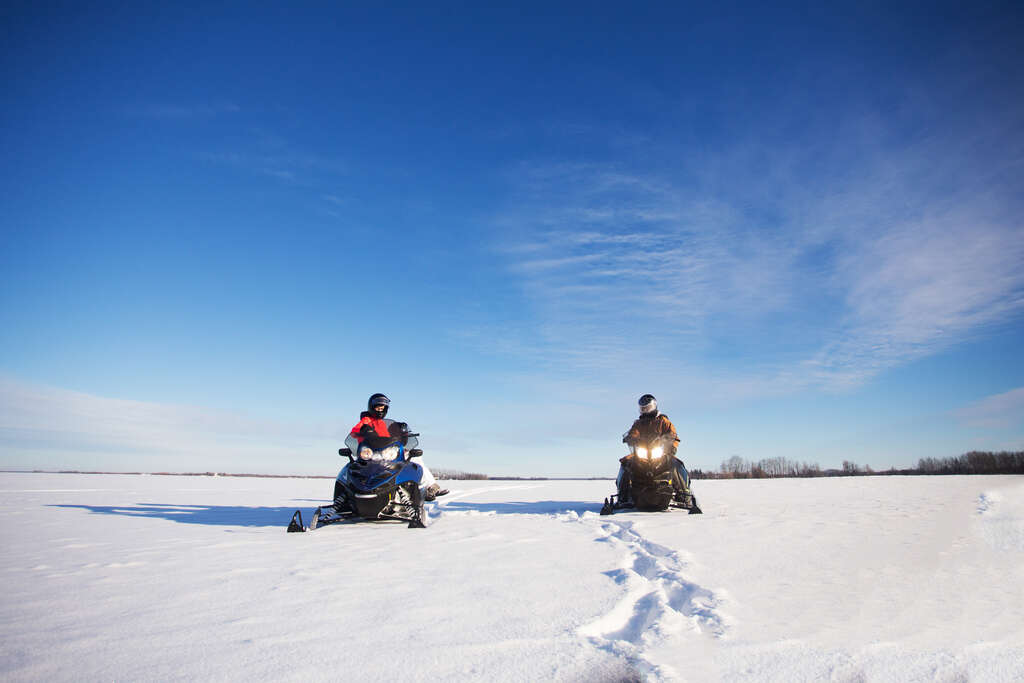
976 462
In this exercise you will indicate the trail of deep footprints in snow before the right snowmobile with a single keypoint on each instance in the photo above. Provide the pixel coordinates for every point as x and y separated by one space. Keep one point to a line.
661 604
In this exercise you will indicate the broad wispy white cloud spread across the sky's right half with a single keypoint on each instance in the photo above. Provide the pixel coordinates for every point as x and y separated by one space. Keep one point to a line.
813 275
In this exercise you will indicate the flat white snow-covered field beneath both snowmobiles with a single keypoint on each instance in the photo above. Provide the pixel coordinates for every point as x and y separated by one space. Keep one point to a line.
164 578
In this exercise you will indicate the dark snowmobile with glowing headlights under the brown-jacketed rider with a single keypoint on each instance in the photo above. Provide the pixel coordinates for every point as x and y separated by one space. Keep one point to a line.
650 475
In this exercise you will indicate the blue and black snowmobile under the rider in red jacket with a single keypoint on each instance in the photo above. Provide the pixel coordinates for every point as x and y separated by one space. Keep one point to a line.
377 484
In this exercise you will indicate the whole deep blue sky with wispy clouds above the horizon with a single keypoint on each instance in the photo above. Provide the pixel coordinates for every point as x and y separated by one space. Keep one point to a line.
224 228
